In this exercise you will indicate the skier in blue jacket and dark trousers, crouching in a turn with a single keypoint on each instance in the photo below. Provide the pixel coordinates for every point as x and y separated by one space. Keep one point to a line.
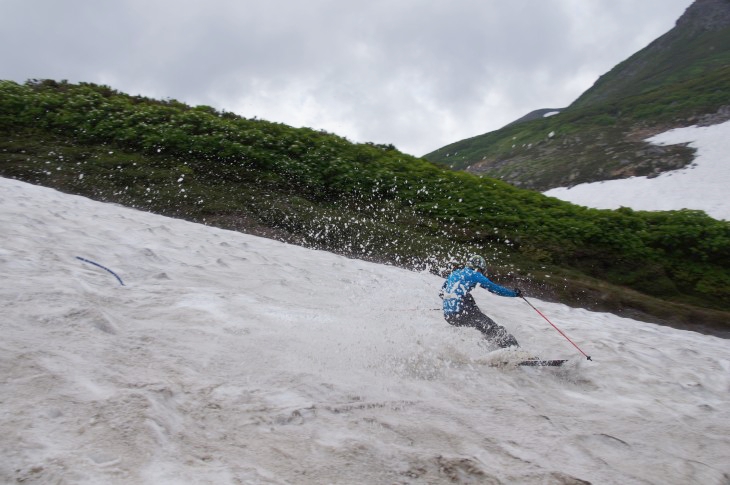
461 310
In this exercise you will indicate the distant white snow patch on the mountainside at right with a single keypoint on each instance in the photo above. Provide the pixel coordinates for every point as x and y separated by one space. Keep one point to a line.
701 186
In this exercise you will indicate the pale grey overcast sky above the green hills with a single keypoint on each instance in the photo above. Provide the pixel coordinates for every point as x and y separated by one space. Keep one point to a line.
419 74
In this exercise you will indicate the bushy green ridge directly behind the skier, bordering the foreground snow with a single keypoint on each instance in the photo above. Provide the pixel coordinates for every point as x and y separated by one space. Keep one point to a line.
370 201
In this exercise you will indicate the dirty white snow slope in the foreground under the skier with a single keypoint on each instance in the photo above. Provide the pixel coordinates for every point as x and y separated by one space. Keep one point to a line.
228 359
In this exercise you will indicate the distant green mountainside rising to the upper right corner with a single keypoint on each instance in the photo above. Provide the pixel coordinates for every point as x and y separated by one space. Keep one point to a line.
680 79
